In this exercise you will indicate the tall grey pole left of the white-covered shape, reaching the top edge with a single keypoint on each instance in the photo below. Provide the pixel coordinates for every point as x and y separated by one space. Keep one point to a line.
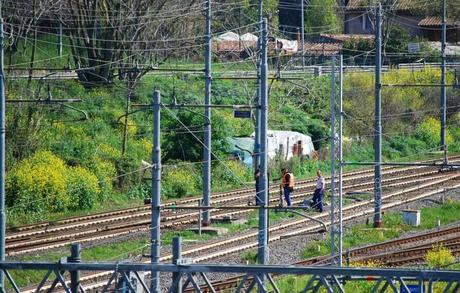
207 113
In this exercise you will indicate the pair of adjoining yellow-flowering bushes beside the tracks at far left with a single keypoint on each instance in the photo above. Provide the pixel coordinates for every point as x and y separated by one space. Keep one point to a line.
44 183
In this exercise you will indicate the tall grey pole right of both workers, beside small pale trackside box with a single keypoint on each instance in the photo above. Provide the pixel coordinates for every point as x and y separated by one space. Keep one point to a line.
378 119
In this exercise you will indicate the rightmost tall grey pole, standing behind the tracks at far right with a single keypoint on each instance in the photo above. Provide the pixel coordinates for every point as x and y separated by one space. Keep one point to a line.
443 100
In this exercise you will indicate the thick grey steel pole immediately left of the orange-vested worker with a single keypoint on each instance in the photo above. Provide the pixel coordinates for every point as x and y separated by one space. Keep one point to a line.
263 216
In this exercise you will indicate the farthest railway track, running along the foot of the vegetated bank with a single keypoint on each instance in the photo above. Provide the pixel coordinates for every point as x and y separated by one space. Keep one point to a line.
109 225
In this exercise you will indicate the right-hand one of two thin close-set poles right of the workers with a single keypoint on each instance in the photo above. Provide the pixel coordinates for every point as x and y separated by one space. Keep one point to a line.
340 203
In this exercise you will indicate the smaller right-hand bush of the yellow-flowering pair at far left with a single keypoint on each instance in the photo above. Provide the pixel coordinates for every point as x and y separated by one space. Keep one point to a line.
82 187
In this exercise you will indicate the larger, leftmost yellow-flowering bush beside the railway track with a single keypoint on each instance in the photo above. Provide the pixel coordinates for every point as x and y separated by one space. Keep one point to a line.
38 184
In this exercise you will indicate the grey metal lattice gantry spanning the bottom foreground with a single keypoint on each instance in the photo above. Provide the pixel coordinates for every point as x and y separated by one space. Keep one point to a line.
194 276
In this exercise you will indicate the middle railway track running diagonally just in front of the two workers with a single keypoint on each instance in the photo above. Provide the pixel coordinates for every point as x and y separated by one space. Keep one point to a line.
247 240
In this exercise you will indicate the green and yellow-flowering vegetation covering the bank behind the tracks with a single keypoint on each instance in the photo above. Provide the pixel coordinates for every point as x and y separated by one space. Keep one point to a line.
58 164
